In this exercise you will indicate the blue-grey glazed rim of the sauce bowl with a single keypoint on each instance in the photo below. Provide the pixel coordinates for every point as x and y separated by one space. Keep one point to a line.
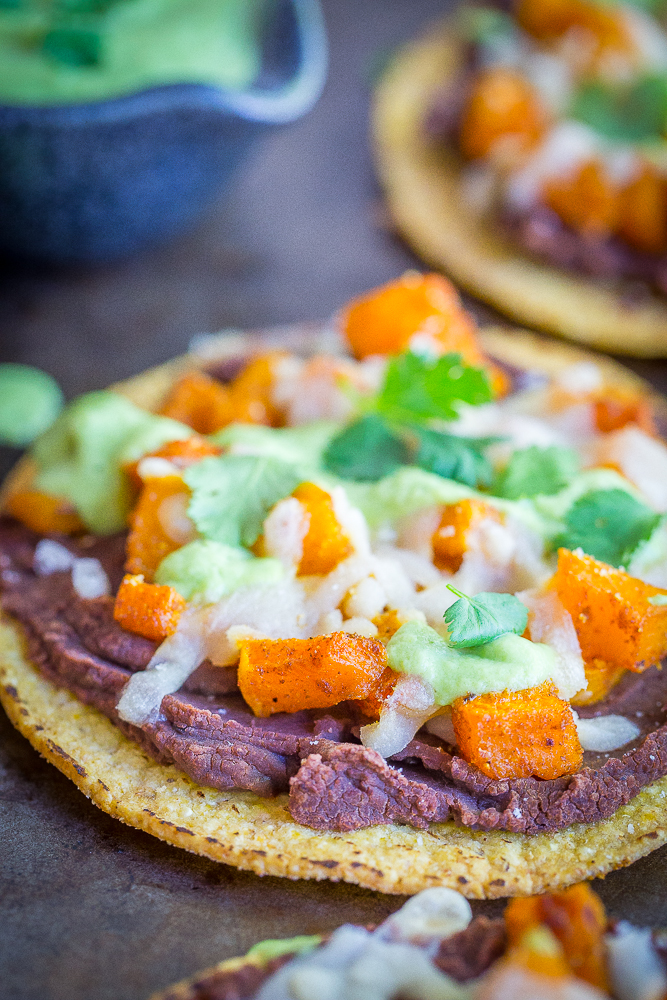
267 105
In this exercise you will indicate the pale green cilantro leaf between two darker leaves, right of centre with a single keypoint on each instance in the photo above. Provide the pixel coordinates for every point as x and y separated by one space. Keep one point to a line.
535 471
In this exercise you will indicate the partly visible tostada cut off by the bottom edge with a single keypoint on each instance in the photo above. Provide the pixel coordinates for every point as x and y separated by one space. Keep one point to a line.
559 946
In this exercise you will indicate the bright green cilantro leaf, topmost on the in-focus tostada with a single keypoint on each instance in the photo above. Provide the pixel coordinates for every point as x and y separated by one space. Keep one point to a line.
419 388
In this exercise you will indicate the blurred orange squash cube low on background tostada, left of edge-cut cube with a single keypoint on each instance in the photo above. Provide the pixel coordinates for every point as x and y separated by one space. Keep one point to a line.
585 201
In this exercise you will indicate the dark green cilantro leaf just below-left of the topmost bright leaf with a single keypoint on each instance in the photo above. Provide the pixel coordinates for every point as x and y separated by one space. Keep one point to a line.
366 450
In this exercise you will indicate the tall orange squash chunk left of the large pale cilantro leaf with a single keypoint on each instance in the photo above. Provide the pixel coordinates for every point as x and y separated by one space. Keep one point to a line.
149 541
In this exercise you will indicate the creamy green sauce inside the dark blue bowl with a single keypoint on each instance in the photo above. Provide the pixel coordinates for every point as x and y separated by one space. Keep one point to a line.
74 51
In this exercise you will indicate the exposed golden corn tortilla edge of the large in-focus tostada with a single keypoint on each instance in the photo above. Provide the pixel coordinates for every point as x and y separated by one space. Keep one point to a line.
259 835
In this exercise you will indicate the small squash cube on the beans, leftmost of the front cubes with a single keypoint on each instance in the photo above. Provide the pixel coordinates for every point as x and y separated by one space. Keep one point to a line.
147 609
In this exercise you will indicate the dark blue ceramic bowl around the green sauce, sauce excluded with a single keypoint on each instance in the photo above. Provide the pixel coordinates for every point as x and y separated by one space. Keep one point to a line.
94 182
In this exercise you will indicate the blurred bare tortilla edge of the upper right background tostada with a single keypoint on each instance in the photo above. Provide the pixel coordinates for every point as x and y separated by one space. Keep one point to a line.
422 181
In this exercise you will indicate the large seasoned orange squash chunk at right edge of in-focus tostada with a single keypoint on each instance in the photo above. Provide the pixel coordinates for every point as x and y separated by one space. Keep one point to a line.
611 612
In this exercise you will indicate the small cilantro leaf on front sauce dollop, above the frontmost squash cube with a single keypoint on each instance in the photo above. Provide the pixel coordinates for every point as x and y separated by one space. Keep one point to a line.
473 621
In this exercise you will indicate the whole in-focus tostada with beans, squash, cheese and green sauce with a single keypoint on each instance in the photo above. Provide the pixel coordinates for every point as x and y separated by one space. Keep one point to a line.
389 607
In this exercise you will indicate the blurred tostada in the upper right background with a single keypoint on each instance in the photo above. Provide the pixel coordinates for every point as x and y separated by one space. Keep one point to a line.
522 147
